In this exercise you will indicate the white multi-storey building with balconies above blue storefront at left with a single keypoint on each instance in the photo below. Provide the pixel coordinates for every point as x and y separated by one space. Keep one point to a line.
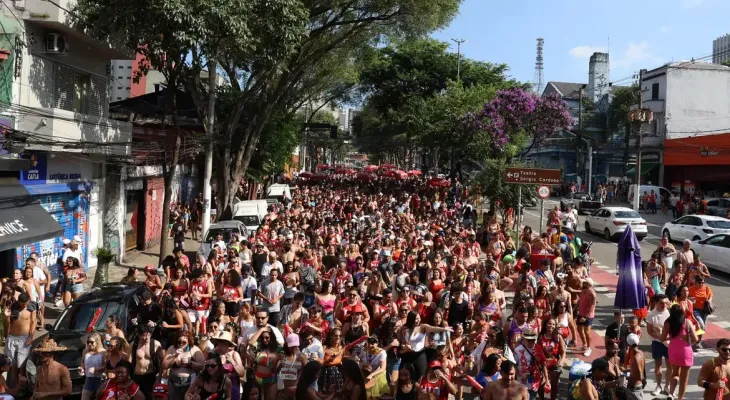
54 98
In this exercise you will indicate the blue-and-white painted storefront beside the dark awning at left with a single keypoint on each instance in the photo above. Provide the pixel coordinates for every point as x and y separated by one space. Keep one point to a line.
61 184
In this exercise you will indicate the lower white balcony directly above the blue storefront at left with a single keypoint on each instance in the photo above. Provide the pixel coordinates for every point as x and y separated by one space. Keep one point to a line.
59 130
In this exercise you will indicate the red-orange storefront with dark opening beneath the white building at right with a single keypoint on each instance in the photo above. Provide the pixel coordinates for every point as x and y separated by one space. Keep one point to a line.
698 163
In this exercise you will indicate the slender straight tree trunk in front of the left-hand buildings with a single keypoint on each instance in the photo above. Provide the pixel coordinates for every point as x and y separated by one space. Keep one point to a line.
168 171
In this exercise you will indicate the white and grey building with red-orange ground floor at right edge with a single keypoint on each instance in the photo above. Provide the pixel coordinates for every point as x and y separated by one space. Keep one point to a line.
691 124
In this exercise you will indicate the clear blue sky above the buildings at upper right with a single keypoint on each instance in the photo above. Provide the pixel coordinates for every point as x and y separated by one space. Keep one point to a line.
641 34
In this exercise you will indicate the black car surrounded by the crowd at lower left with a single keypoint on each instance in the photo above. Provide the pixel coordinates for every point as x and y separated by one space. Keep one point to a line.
75 324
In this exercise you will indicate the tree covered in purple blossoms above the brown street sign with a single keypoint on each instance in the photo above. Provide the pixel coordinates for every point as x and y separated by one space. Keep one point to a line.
517 113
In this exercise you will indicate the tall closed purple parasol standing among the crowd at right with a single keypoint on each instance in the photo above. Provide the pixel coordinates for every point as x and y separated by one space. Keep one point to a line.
630 292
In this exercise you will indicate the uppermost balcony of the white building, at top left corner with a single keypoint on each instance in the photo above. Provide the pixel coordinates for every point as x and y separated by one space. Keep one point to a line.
44 14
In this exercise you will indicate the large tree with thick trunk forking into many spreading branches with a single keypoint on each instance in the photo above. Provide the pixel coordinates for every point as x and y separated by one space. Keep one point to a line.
322 38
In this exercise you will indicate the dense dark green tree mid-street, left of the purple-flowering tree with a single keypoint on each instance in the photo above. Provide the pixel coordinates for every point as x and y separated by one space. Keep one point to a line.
412 101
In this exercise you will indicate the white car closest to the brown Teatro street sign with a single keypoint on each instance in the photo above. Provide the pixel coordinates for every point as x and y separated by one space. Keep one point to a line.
612 222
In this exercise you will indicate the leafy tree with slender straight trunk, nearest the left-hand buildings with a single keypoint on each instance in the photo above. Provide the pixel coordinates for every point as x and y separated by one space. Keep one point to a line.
167 33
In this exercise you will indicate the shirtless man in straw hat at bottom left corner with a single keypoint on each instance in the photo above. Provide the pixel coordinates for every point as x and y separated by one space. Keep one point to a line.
53 381
